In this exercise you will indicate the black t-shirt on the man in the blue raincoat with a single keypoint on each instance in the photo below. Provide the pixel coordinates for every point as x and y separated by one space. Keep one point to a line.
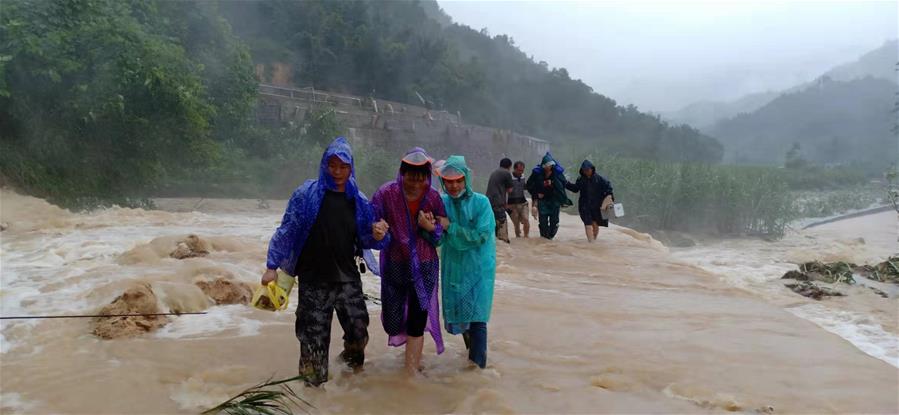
330 250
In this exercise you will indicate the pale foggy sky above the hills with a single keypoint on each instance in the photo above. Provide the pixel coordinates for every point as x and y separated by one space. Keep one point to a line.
663 55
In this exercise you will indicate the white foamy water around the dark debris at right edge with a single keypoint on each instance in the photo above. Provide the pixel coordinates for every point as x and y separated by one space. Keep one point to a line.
756 265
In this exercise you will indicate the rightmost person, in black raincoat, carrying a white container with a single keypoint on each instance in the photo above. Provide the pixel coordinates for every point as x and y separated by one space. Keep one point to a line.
595 196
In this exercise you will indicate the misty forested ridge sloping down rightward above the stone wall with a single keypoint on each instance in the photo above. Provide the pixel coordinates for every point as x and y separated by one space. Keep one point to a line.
409 50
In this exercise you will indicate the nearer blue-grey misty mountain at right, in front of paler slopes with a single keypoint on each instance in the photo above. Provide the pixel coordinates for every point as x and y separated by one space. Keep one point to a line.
834 122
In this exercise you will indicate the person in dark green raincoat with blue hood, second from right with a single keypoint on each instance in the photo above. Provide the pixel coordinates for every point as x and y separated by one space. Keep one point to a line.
546 185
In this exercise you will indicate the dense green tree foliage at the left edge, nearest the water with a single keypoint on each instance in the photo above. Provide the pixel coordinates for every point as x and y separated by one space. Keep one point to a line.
104 97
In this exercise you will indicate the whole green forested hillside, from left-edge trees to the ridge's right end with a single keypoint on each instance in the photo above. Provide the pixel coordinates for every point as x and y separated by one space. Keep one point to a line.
110 98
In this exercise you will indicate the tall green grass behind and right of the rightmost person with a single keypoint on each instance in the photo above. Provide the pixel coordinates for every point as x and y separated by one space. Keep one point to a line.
732 200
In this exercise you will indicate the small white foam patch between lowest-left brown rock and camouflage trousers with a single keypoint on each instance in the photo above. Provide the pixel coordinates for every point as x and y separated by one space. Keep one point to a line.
220 319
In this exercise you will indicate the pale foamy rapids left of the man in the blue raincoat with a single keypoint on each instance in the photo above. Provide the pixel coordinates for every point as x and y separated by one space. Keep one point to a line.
55 270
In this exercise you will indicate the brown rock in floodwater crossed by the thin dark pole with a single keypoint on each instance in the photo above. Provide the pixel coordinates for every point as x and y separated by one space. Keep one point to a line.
139 299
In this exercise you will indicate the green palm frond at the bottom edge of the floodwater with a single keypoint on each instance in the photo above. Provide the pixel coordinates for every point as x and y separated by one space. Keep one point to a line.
262 399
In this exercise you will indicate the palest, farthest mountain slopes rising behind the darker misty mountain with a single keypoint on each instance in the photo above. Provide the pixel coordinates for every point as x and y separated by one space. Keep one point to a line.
878 63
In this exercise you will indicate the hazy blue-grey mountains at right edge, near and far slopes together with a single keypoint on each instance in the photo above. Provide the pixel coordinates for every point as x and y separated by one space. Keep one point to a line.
847 117
